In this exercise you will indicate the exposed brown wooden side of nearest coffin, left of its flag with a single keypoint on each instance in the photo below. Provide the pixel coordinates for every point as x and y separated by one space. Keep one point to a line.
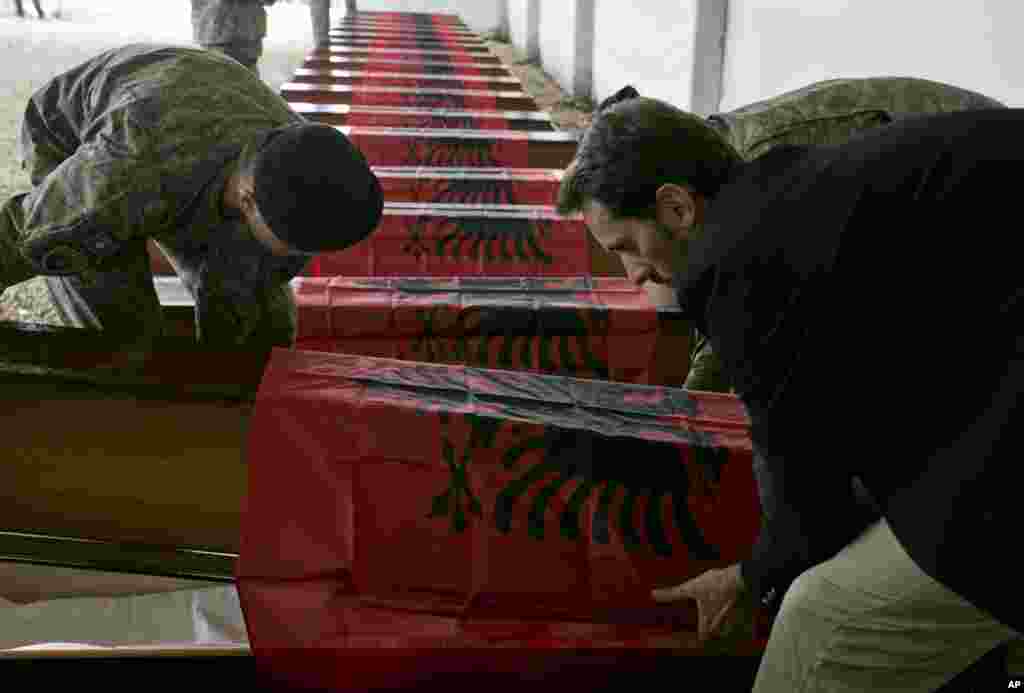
122 461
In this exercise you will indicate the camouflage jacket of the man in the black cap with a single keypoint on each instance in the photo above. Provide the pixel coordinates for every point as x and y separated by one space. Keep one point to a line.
137 144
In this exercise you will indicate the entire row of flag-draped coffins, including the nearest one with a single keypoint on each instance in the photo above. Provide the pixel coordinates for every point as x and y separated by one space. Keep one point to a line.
472 268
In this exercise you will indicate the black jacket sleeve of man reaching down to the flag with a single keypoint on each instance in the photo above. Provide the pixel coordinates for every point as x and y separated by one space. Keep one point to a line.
758 286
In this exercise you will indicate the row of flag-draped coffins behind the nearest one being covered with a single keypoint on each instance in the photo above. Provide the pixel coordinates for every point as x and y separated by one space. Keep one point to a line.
446 222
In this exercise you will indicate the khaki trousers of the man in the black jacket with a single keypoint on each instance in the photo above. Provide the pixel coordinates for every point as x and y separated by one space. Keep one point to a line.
870 620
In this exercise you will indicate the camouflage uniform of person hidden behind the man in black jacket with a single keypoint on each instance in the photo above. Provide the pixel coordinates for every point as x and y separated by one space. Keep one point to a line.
824 113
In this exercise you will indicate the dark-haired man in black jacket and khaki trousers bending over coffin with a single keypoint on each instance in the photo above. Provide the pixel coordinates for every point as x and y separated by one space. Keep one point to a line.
787 263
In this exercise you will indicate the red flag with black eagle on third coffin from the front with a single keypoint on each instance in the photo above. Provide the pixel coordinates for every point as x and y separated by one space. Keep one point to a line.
431 244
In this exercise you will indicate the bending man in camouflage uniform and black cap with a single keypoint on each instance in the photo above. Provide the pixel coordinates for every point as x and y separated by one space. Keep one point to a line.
191 150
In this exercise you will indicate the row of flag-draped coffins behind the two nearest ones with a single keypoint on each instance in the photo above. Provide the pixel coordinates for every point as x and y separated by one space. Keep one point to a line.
470 165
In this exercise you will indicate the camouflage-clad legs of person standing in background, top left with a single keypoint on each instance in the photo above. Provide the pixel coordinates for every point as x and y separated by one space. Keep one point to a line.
235 28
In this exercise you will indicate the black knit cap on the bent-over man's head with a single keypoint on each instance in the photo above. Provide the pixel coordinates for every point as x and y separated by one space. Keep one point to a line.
316 190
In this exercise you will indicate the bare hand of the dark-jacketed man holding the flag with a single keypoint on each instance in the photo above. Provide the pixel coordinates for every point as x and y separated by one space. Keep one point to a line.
718 593
